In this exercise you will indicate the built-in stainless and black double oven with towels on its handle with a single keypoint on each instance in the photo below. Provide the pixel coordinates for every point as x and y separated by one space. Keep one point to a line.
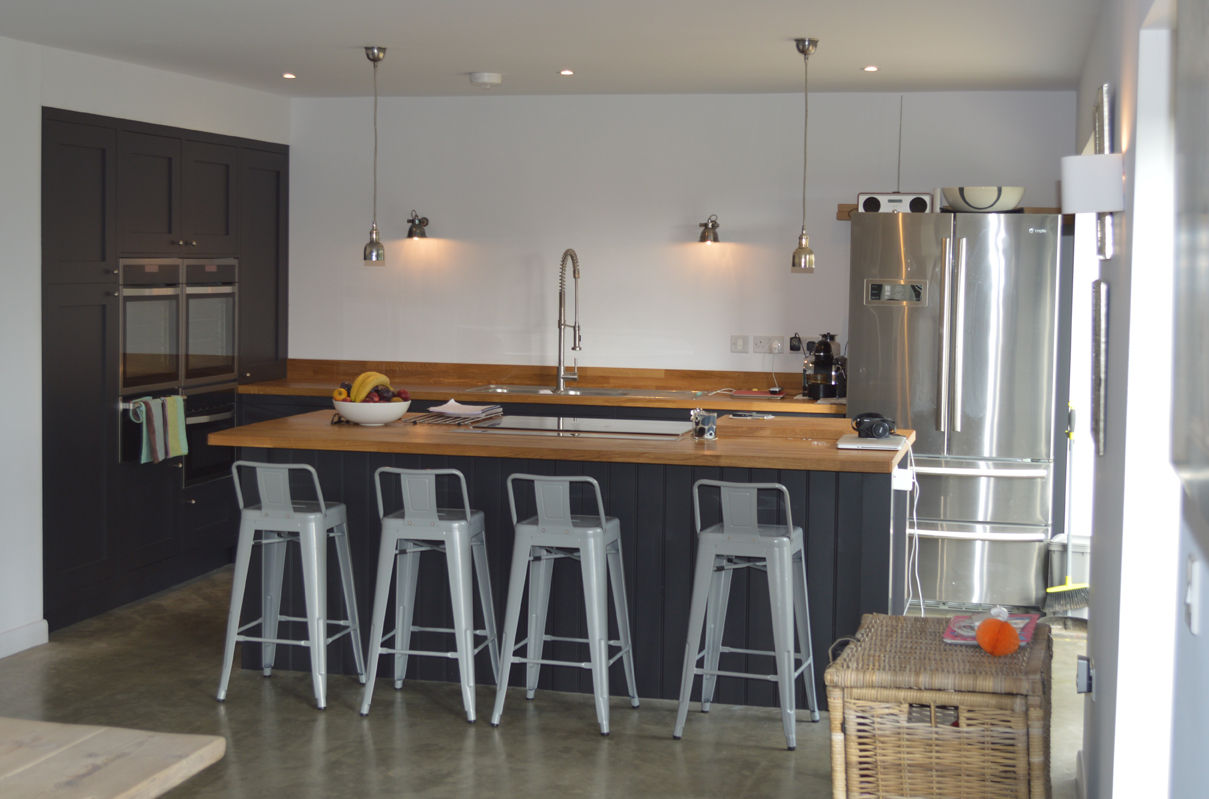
178 335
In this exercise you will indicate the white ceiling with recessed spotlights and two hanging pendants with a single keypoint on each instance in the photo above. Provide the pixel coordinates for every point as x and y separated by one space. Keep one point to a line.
615 47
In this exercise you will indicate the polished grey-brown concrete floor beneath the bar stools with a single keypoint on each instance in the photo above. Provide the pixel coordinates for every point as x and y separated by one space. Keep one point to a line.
155 665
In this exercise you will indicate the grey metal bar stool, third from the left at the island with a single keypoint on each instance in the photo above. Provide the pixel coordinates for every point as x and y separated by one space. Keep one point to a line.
595 541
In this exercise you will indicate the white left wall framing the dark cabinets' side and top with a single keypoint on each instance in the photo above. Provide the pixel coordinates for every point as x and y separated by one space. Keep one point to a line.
32 77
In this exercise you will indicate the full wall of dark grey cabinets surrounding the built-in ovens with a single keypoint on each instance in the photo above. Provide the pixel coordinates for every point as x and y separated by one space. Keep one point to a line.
117 531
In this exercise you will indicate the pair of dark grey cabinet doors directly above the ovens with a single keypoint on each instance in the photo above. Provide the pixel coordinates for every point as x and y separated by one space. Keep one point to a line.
176 195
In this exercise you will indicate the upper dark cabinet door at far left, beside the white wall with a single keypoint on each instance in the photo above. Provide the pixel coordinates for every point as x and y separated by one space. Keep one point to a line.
79 184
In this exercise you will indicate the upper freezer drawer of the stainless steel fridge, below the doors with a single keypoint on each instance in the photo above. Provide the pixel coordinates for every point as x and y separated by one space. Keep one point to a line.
985 491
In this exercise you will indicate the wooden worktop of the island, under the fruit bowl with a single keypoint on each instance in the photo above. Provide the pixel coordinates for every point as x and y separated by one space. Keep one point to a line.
782 443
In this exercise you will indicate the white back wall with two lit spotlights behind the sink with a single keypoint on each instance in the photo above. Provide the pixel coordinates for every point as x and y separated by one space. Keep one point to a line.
511 182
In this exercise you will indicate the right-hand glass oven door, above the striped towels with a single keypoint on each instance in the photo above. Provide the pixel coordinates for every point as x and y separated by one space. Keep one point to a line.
210 334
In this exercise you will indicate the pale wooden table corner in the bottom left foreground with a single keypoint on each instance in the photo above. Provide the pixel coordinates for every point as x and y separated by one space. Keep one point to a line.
78 761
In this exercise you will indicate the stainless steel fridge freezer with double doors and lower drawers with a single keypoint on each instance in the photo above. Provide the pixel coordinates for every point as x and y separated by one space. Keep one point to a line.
953 332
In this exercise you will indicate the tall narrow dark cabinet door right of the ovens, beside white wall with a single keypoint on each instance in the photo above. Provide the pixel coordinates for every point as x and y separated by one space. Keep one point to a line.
264 279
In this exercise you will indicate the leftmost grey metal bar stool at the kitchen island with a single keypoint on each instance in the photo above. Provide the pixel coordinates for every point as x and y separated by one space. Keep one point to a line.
273 523
